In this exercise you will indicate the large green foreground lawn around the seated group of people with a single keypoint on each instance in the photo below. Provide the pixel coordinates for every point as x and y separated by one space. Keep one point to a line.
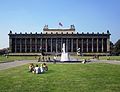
62 78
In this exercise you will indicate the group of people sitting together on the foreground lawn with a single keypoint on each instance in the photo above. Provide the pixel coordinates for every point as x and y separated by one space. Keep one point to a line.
38 70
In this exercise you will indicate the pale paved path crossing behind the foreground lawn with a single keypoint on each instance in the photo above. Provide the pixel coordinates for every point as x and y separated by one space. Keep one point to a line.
23 62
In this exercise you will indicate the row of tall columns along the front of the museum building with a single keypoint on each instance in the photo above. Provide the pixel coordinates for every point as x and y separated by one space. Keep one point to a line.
86 45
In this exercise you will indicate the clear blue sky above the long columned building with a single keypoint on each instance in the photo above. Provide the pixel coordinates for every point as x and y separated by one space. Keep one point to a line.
31 16
